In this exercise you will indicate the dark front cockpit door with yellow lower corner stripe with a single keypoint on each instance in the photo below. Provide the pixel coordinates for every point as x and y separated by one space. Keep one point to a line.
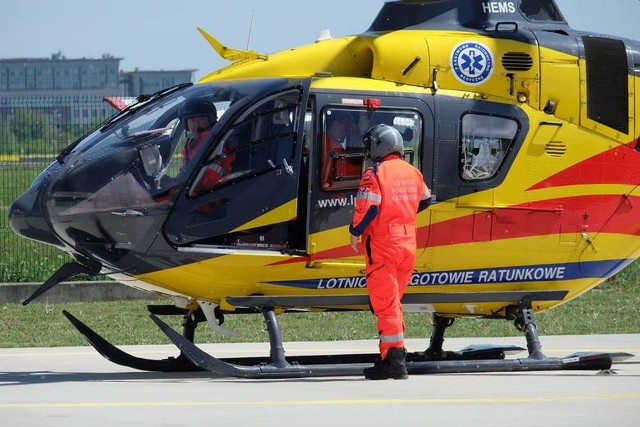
255 203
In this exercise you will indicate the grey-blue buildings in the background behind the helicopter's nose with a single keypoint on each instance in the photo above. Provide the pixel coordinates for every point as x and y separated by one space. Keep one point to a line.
73 91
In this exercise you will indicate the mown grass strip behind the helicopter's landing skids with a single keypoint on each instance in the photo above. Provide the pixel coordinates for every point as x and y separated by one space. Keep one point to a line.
612 308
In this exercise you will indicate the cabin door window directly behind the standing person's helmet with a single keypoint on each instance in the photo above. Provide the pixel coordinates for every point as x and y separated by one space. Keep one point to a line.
342 159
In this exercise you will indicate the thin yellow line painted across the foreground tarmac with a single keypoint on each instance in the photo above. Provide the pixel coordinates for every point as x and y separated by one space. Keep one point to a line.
340 402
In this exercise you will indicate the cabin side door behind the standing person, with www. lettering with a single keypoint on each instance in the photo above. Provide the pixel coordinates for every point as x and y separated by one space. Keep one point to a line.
341 120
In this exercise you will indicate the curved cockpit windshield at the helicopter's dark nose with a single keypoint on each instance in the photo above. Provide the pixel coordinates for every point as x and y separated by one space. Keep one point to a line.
148 151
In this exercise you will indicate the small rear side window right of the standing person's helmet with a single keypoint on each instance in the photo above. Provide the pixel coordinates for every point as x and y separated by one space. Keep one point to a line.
485 141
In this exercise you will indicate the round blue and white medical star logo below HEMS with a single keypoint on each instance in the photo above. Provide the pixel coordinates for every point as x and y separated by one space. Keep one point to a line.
472 63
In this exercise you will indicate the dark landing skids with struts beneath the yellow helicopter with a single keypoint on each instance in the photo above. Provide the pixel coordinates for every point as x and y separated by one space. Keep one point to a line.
472 359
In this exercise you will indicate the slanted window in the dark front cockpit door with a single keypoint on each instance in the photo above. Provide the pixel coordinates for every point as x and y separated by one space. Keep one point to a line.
259 141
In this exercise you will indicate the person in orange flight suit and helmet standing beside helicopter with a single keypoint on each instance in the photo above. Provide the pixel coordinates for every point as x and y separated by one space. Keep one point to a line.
389 198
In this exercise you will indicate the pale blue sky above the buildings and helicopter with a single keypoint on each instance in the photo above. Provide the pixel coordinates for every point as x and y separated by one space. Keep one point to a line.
162 35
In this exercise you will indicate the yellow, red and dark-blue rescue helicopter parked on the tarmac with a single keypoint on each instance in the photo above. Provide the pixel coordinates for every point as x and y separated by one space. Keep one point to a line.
524 129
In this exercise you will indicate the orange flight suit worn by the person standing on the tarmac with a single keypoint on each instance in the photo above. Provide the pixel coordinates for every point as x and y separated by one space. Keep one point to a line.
386 209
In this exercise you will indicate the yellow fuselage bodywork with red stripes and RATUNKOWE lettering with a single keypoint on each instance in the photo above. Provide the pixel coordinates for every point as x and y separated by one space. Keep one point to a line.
562 219
